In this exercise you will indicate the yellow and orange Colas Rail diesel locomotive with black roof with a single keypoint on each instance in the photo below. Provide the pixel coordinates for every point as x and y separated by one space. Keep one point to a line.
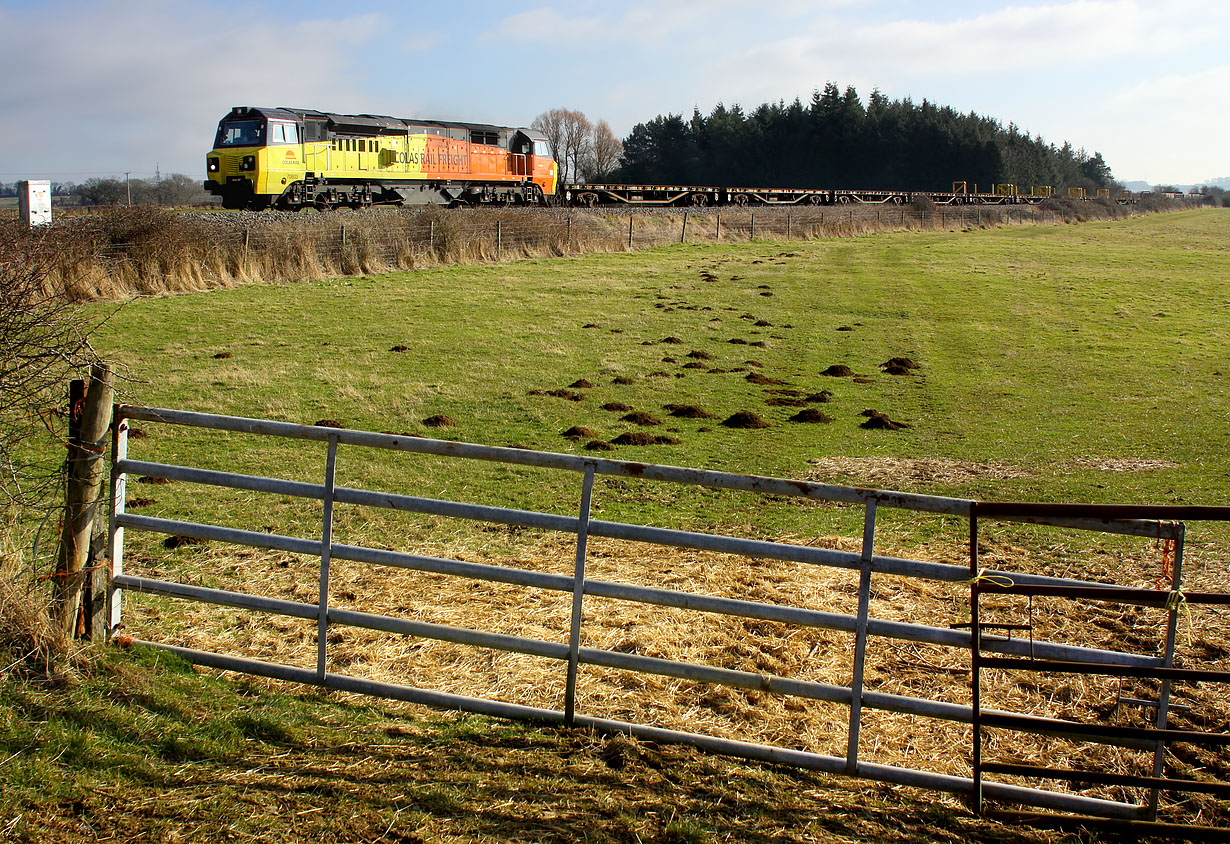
292 159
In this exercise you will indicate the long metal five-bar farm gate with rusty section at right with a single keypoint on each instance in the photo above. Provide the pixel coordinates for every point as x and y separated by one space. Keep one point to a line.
992 647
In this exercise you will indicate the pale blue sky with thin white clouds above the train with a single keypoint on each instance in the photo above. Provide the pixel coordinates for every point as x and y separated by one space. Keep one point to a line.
103 88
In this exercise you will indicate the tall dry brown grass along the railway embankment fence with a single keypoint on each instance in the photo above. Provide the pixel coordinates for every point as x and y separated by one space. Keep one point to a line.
124 253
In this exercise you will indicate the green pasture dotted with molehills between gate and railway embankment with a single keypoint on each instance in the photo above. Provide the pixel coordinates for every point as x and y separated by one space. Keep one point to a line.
1041 348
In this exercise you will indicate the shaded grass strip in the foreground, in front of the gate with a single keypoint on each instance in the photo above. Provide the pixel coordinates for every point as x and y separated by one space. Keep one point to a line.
142 749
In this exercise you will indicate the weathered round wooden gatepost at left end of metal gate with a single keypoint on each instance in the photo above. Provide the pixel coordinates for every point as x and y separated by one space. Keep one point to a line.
89 421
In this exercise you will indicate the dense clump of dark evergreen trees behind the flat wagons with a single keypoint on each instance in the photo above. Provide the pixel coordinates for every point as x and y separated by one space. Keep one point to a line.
838 142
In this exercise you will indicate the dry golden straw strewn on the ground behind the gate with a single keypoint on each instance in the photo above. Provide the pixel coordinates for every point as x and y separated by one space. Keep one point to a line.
748 645
